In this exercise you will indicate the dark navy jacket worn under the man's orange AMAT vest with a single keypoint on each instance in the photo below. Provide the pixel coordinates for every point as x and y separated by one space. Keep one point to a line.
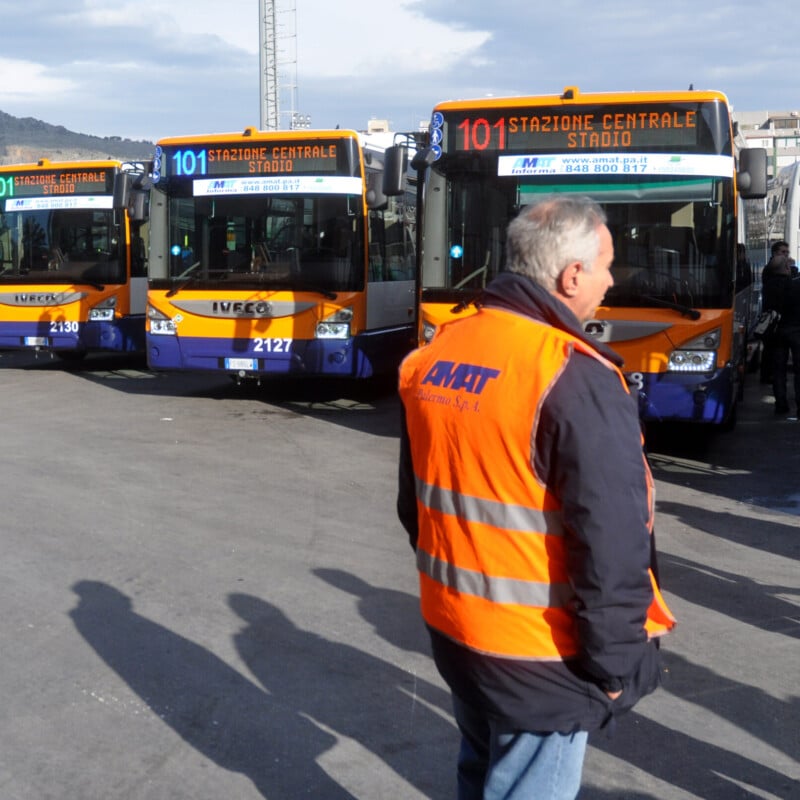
587 449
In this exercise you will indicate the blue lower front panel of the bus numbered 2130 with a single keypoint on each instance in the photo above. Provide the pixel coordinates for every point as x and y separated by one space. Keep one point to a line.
122 336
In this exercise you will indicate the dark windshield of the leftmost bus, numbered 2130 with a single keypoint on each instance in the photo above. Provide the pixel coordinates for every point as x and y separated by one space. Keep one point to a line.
61 246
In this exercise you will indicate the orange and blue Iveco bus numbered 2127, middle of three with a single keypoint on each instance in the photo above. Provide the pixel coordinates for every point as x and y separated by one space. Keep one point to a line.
277 253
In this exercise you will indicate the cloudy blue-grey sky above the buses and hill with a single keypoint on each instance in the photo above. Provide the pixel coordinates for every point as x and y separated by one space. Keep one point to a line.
144 69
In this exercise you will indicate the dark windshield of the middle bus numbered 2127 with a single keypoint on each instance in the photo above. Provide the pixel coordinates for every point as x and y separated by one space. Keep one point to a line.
290 242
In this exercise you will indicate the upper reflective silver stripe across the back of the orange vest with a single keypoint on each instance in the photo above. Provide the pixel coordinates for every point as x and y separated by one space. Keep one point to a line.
490 512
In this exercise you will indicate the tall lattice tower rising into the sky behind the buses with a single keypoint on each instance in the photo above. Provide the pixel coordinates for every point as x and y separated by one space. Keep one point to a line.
278 60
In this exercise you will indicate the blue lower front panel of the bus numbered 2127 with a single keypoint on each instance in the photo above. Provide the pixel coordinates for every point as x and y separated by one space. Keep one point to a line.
362 356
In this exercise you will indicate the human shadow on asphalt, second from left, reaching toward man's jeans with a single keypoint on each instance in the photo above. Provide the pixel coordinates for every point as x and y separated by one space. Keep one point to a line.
400 719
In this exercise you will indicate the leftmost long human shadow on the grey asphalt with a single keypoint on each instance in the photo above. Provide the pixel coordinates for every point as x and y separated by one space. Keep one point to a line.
214 708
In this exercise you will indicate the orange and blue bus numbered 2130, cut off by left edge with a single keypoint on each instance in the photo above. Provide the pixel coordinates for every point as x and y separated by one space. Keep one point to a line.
72 257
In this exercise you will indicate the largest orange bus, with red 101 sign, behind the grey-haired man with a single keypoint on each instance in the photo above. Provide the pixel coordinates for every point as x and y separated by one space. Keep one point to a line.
665 167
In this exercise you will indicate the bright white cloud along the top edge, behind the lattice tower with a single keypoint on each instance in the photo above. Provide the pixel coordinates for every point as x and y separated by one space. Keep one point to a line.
347 38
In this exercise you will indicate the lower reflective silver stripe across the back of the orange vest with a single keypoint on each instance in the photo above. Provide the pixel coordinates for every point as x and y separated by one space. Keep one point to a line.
497 590
